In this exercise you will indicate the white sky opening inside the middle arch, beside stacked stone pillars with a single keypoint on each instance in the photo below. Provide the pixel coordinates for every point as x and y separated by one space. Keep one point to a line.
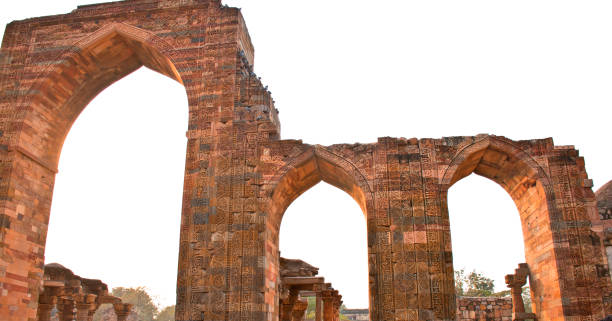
322 227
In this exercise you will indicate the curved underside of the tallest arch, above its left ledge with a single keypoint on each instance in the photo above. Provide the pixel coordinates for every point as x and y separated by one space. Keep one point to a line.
81 73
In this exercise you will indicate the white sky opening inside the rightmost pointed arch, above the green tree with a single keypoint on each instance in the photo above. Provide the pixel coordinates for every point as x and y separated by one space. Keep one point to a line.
484 231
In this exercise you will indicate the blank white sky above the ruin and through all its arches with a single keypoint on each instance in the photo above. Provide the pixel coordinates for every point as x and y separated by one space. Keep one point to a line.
341 72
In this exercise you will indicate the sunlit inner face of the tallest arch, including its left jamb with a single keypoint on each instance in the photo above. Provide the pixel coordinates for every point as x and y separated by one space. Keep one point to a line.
55 99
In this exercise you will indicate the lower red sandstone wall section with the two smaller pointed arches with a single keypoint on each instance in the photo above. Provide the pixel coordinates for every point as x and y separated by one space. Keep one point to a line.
401 185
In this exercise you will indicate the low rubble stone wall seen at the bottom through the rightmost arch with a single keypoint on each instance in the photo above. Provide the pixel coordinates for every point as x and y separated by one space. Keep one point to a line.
484 309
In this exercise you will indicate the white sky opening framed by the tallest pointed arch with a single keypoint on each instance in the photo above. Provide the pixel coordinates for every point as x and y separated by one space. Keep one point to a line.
116 192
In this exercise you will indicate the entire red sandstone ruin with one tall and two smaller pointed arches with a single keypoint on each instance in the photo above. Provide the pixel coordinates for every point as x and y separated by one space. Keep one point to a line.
240 177
